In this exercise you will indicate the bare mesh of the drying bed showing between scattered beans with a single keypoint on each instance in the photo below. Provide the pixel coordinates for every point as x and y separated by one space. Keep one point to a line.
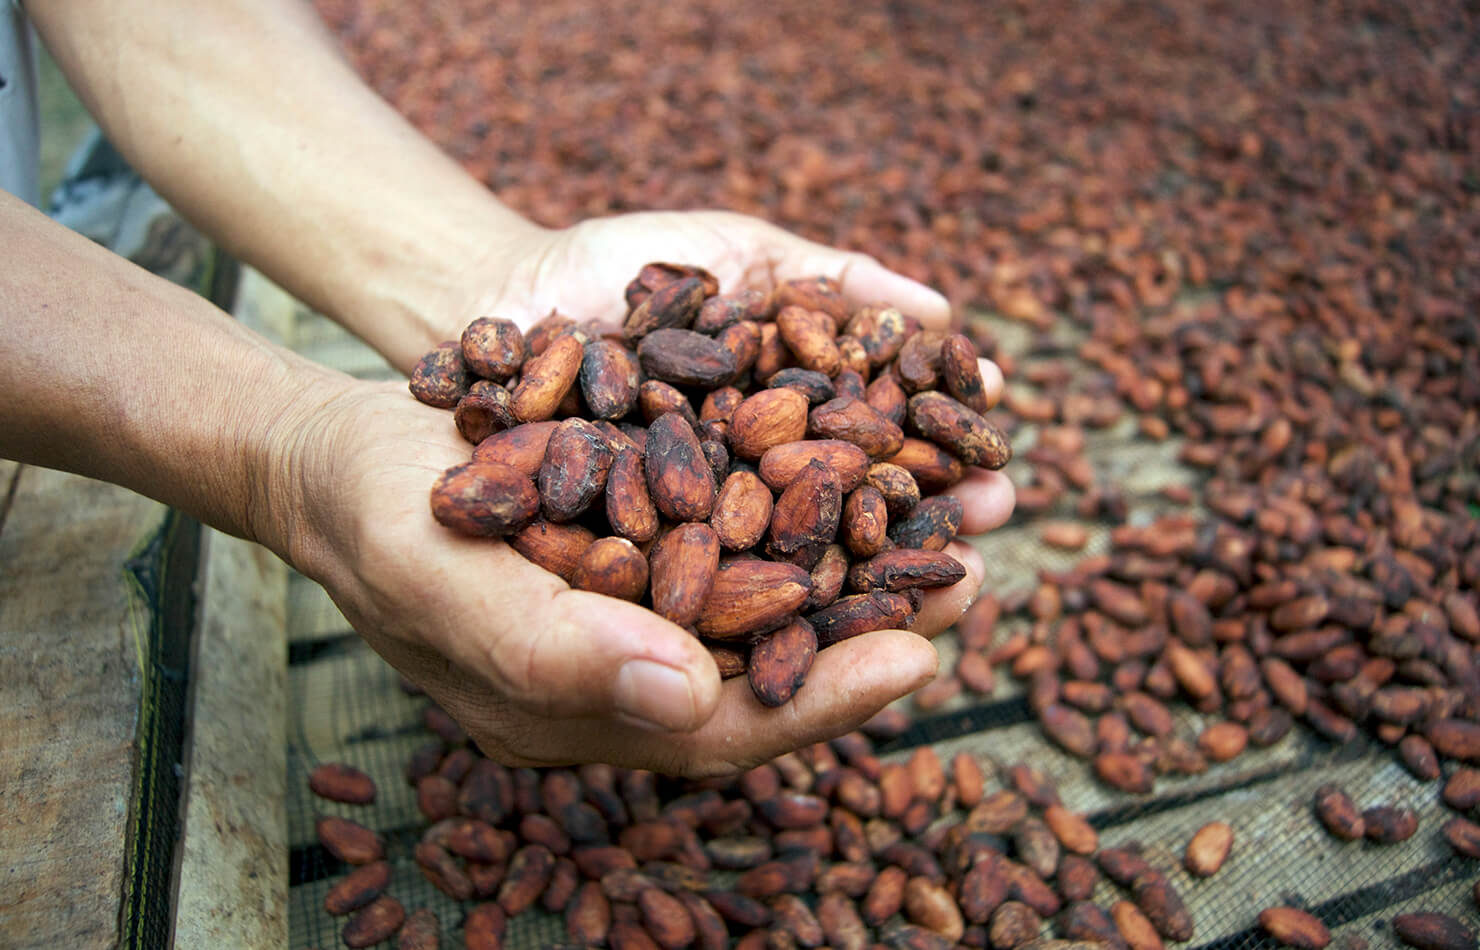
349 707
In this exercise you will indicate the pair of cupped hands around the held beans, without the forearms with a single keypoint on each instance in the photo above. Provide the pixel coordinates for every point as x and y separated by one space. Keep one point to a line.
541 674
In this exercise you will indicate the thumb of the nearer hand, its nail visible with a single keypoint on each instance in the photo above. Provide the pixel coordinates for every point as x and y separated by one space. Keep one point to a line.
579 655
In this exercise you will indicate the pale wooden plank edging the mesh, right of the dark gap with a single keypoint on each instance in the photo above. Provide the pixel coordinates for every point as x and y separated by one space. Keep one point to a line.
233 878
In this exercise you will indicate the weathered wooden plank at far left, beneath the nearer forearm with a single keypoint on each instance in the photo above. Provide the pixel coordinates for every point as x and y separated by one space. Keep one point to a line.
70 689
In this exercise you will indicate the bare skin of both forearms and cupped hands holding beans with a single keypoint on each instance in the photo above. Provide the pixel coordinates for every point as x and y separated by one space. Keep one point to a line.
118 375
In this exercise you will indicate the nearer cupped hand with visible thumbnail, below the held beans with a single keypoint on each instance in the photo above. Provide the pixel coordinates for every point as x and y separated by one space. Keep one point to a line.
536 673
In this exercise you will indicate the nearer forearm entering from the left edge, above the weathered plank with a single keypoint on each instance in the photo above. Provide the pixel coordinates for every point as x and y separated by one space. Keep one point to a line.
113 374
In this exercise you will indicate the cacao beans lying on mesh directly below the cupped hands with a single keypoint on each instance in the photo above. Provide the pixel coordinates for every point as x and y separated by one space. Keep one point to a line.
825 847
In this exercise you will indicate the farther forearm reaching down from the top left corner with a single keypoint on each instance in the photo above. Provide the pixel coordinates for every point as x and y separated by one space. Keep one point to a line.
245 116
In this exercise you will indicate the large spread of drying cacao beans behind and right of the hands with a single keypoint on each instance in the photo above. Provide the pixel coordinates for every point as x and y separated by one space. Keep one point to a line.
1259 218
